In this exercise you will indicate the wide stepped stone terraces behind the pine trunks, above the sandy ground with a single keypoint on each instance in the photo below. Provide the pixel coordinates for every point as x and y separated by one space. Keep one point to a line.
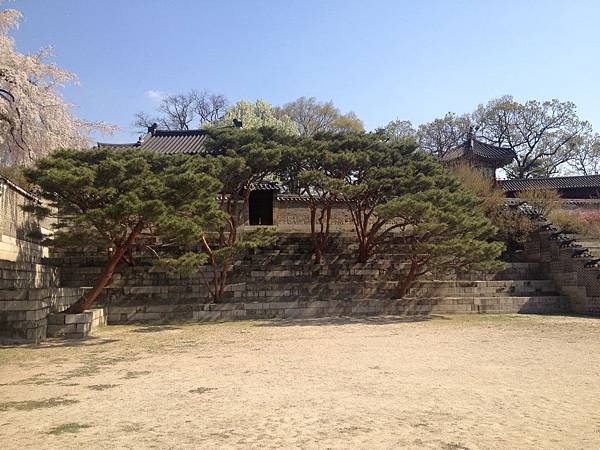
282 281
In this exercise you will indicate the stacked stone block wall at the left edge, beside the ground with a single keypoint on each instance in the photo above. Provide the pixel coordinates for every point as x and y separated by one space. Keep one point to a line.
24 312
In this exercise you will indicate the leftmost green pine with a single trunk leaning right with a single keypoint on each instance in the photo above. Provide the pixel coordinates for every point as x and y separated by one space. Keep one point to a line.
114 198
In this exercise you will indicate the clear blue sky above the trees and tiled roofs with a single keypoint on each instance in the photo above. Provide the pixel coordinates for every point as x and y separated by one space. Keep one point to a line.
382 59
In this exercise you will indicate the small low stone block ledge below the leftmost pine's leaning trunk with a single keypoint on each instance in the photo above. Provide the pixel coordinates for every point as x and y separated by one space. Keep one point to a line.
75 326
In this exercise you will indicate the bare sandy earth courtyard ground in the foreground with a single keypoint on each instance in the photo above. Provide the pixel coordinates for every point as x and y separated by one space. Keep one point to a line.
445 382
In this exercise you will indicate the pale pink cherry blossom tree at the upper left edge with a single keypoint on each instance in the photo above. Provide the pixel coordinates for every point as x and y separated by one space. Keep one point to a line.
34 117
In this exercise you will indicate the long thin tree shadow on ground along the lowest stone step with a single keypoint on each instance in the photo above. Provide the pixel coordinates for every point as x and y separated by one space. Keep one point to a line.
347 320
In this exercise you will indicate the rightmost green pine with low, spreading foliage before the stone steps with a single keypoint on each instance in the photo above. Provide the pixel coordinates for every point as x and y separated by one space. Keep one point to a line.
444 230
